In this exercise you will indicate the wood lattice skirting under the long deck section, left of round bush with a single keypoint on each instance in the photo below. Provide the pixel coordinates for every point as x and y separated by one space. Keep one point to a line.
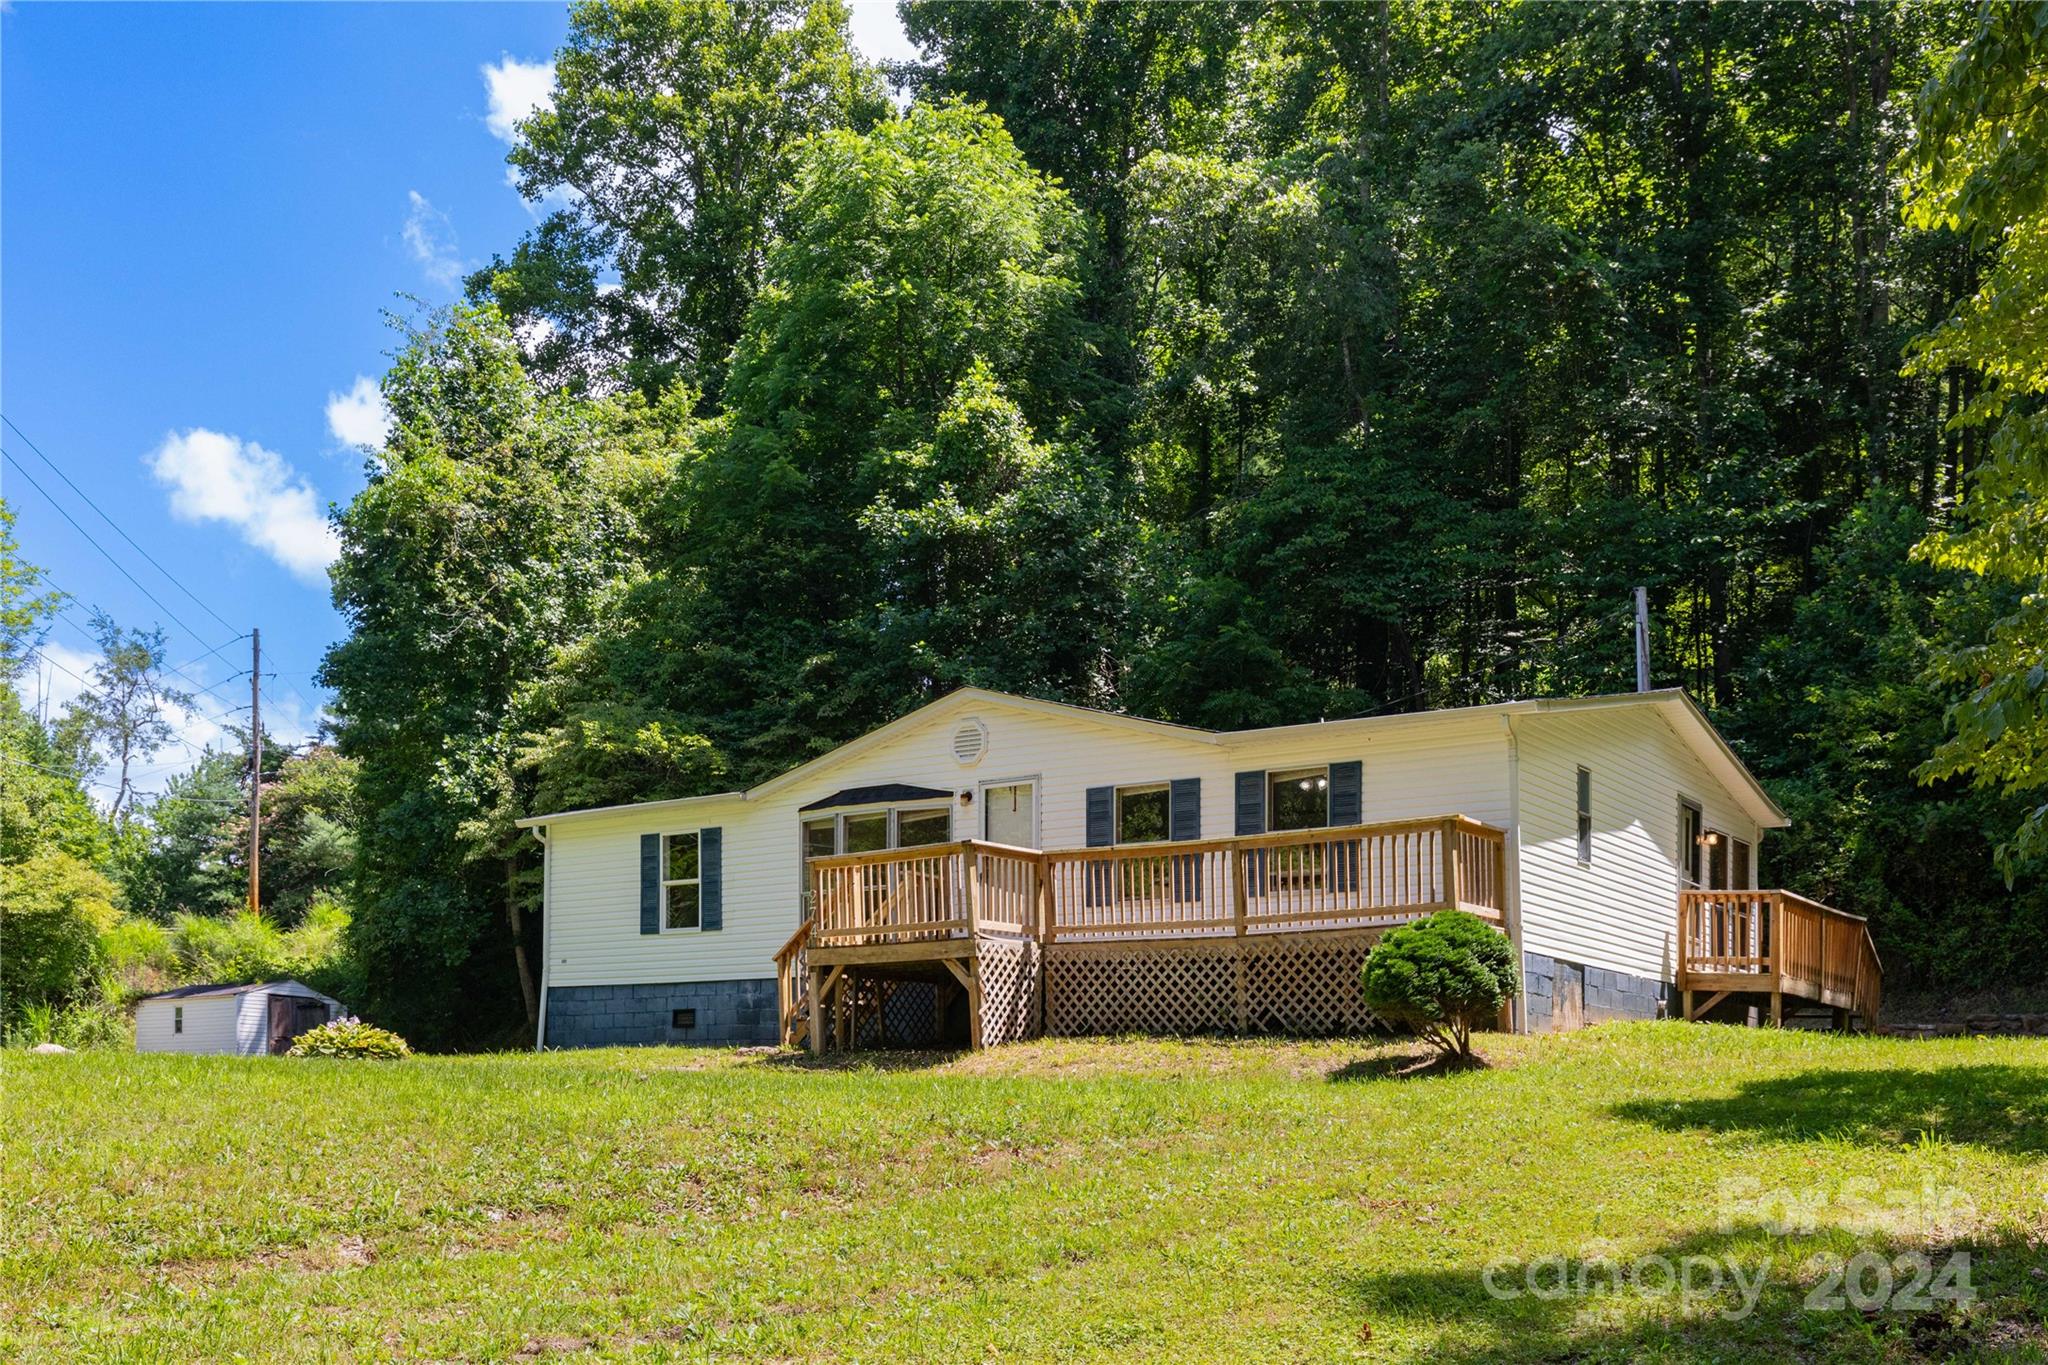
1283 983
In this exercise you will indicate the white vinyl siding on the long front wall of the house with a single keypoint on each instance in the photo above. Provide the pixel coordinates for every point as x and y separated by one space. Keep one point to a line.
1420 766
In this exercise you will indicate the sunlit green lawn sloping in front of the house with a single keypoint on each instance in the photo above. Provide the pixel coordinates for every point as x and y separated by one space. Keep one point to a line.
1060 1200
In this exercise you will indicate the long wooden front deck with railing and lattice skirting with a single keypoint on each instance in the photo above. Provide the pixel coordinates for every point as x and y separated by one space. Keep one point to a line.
988 920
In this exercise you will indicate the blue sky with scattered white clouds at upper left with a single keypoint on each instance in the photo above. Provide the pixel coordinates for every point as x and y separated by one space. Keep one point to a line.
206 210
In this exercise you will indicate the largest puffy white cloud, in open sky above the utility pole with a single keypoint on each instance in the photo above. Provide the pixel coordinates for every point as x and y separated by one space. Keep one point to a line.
218 478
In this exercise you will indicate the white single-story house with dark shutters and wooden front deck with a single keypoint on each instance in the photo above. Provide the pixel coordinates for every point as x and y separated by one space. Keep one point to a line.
1064 840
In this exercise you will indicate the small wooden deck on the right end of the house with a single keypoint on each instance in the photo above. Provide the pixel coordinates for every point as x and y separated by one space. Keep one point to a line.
1781 946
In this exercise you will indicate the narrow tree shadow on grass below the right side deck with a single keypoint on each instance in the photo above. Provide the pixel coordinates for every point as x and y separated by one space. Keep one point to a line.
2002 1108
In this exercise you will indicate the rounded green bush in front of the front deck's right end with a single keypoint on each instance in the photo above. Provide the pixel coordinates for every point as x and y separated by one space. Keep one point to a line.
1441 977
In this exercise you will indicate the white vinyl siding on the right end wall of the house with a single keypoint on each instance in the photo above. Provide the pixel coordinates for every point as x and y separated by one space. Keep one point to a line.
1617 912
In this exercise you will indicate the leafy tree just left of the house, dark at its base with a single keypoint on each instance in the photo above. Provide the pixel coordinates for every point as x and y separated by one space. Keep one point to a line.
486 541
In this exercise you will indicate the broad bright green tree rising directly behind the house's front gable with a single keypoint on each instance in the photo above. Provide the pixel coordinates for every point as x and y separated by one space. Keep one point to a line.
894 502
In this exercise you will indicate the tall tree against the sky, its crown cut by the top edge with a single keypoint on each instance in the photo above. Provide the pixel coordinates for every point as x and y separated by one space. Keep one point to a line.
673 132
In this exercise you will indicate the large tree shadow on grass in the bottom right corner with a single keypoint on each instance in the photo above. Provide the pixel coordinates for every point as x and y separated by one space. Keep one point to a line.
1723 1296
